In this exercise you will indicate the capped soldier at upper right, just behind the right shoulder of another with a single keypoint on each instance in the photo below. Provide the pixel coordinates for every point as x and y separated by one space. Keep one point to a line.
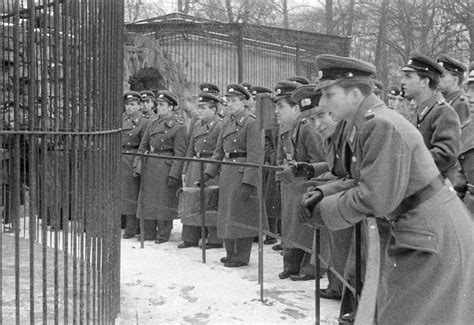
450 85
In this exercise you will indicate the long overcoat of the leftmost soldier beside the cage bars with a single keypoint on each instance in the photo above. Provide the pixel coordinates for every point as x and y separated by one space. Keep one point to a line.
133 128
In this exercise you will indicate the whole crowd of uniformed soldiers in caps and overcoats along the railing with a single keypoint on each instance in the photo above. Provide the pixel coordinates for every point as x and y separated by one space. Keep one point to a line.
343 155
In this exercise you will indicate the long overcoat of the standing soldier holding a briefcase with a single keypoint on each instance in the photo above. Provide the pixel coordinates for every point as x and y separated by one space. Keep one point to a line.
202 145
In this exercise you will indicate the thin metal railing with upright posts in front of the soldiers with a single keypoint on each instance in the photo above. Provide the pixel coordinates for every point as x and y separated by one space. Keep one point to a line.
366 296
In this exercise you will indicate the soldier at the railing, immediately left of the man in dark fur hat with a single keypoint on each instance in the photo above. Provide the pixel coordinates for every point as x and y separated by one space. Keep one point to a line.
298 141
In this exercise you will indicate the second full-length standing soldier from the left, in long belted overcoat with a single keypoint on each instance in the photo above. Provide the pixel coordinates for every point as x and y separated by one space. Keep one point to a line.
165 135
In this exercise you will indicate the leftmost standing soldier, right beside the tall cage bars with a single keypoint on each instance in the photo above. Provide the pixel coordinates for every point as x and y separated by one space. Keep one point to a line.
133 127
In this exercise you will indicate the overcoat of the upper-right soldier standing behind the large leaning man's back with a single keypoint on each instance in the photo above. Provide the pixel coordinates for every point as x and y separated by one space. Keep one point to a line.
439 125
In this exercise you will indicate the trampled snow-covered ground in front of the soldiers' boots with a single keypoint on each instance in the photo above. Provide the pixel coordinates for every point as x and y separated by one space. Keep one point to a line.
161 284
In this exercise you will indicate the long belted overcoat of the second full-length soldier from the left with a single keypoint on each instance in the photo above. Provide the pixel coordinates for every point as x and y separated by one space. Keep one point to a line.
164 135
